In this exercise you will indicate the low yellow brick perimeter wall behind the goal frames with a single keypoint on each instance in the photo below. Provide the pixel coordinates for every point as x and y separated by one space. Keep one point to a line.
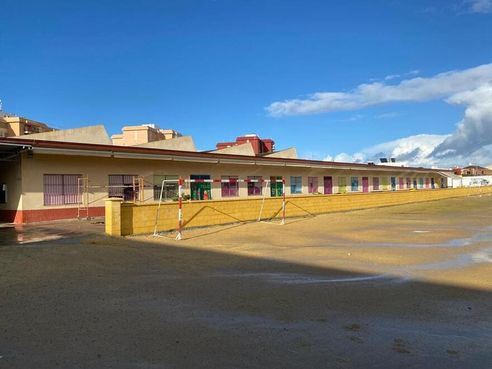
124 219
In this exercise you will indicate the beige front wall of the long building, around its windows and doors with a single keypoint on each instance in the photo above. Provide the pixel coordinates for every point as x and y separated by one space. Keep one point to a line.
97 170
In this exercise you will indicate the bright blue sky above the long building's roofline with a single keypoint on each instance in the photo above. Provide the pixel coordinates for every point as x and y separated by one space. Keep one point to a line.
216 69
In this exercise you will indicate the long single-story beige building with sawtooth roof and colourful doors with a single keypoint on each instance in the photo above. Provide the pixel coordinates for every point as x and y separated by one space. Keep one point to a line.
61 175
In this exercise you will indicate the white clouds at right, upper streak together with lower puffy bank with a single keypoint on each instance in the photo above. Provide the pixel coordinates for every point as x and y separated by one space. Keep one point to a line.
471 141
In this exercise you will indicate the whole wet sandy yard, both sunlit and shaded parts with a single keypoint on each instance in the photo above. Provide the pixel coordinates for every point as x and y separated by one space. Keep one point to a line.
399 287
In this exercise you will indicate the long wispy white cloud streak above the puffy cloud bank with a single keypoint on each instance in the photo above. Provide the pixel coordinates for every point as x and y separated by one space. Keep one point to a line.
440 86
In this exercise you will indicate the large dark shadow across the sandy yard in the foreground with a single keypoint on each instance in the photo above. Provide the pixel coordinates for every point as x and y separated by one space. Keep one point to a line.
89 301
